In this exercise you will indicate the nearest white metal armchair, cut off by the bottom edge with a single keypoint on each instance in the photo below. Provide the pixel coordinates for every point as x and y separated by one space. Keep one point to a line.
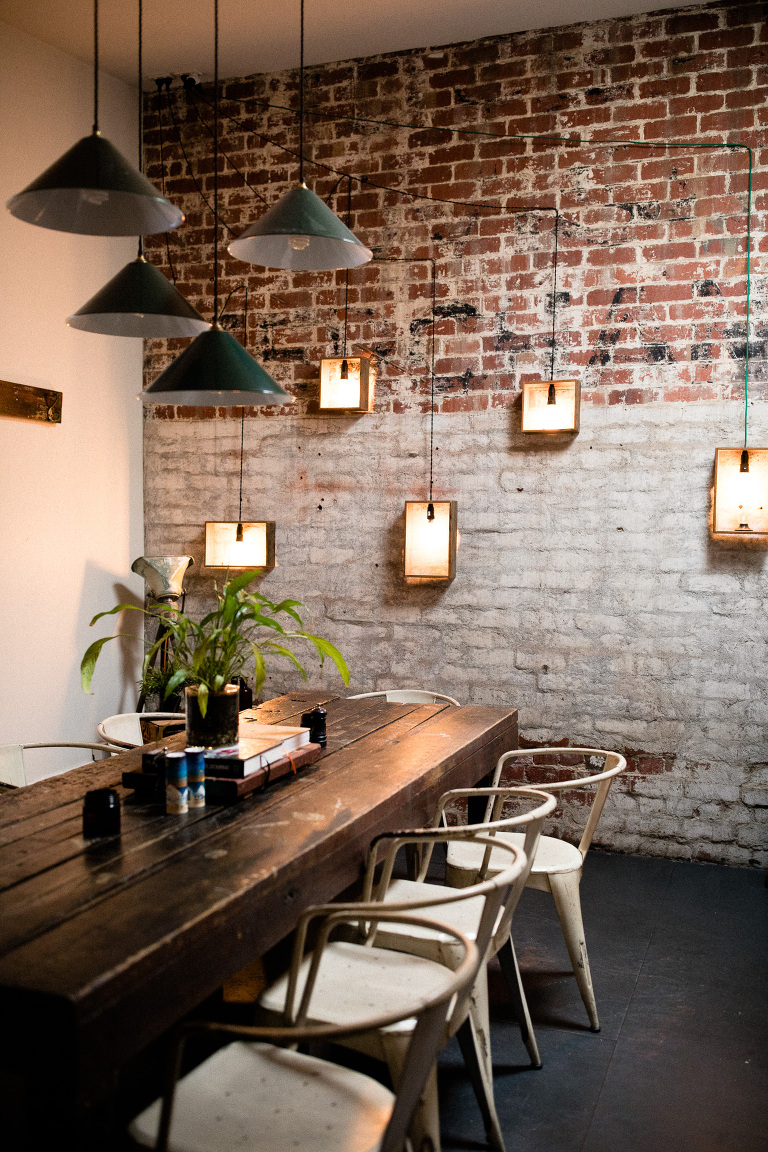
256 1096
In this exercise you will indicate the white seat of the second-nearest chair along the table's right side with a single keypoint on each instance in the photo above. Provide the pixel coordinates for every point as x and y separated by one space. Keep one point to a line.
354 982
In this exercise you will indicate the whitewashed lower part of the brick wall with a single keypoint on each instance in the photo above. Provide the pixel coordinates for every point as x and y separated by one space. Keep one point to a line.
589 593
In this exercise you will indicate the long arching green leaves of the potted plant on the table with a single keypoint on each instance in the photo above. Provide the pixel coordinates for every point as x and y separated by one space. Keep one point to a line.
244 627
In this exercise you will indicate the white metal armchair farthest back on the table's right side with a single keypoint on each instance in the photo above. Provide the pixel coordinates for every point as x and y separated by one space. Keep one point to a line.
558 865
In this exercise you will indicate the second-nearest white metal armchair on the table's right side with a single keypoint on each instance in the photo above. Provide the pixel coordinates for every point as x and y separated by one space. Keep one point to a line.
379 976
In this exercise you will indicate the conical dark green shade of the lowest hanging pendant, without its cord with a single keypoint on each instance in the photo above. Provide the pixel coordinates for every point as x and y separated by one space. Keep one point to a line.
216 372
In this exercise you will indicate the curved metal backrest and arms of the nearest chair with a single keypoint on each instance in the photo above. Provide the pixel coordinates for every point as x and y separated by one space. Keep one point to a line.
431 1015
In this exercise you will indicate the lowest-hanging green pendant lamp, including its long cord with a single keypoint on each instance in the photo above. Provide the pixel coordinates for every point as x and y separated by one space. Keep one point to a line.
216 372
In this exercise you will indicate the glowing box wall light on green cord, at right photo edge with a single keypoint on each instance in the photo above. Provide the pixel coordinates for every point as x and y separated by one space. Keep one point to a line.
741 496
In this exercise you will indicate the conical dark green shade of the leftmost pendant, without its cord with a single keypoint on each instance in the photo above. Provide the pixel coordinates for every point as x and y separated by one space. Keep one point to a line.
94 191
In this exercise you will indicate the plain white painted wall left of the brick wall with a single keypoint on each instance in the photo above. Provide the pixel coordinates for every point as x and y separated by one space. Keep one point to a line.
71 505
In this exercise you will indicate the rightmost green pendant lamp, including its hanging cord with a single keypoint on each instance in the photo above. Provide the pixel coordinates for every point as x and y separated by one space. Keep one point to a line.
301 232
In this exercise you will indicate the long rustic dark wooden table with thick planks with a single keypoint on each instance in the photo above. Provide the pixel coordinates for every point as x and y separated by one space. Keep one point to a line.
105 945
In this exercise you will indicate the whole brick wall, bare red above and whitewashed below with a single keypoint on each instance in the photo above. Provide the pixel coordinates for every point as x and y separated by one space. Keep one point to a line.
589 593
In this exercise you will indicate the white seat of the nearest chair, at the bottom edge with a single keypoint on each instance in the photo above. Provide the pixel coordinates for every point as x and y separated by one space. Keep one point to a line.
260 1098
